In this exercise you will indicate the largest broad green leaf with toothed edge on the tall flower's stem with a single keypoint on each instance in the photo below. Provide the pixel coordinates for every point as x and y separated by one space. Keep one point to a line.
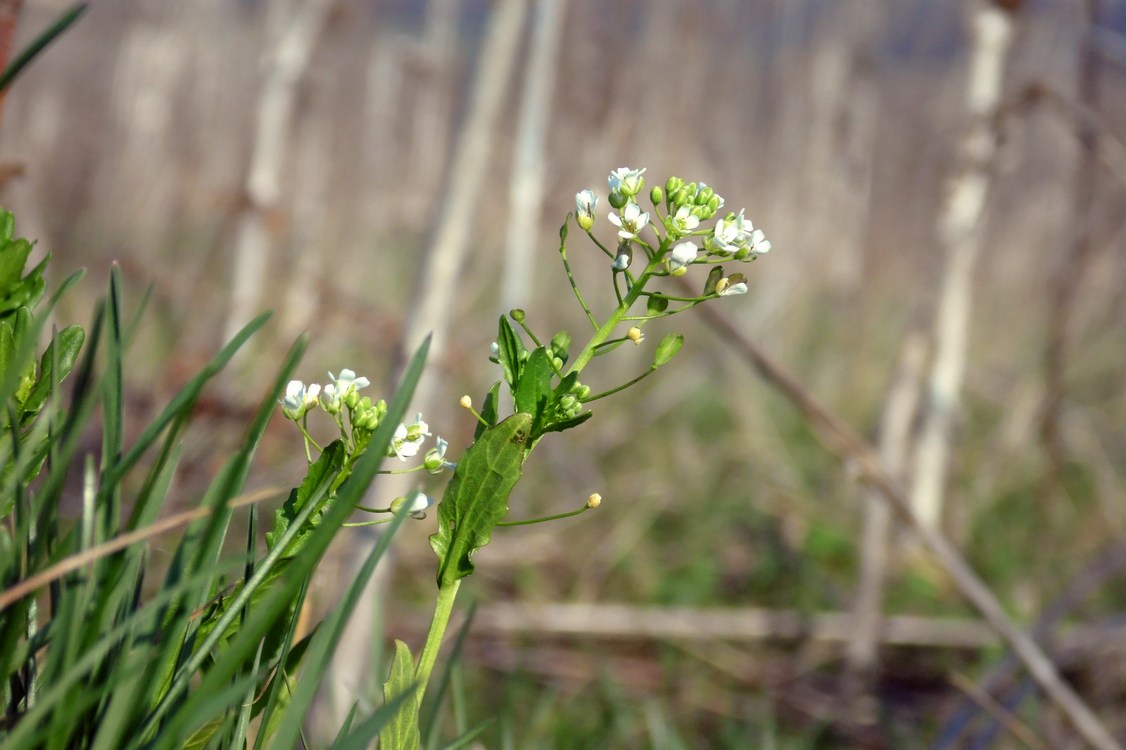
477 497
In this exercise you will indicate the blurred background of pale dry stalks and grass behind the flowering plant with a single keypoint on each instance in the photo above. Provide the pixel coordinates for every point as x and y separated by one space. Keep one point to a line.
344 162
